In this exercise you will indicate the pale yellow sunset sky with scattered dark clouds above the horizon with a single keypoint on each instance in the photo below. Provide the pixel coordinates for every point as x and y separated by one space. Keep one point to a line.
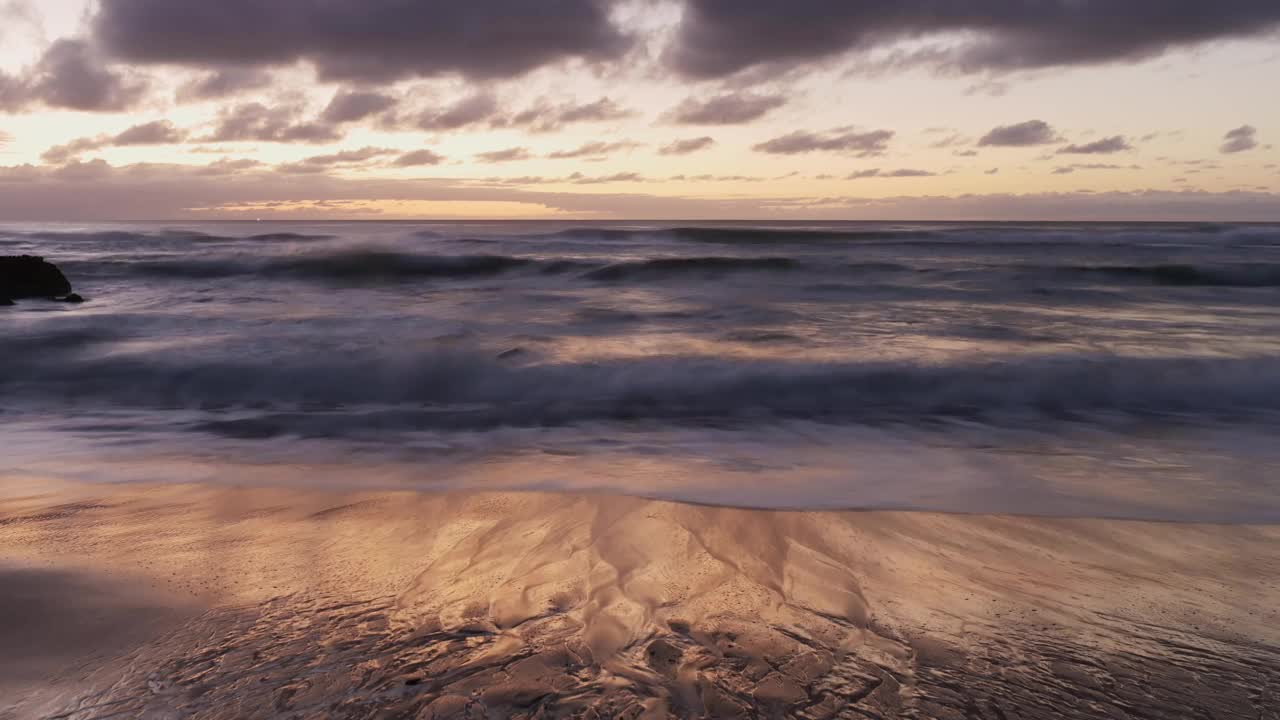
641 110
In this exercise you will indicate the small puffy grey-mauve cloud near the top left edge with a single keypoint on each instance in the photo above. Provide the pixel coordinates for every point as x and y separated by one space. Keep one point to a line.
71 76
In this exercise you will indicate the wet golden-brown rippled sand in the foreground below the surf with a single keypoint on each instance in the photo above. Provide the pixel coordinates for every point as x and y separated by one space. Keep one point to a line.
191 603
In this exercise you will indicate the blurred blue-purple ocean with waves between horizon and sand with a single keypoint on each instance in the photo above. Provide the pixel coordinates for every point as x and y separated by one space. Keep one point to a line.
1110 371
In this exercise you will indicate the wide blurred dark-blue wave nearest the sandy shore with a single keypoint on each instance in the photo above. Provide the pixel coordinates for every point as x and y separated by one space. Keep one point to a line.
464 390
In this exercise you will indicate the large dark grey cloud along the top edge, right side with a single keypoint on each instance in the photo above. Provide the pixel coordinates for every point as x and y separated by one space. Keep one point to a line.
721 38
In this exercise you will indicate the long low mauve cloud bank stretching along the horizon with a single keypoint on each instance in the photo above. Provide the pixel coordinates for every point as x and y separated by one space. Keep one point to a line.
98 192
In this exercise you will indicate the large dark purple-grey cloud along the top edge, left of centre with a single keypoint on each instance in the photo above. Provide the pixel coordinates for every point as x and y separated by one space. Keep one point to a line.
362 40
